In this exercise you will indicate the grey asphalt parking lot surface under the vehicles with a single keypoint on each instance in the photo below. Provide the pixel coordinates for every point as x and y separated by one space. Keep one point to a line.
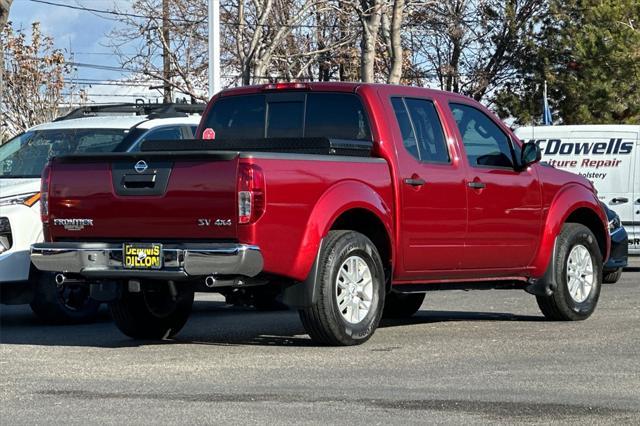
467 357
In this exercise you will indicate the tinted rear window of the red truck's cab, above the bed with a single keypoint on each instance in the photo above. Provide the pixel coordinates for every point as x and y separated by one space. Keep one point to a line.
309 115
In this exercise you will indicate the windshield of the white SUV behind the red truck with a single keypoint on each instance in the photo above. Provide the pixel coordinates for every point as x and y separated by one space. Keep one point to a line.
27 154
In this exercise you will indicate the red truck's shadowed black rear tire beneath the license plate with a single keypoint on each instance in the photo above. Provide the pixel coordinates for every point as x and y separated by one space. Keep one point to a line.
153 313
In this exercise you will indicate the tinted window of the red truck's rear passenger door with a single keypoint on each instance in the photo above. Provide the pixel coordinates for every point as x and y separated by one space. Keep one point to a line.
421 130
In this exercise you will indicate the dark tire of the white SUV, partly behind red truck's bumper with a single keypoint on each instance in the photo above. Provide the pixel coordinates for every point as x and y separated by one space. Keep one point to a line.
66 304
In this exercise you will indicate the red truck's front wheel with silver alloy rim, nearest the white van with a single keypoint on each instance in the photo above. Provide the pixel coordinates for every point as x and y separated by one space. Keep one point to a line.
578 273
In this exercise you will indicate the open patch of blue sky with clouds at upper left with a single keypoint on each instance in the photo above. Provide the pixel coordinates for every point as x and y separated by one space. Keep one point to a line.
86 35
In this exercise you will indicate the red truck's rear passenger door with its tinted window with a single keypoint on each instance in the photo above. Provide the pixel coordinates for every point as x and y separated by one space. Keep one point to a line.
433 196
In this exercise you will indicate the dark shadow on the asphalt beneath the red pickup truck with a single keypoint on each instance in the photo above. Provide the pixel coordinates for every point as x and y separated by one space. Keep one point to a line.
211 323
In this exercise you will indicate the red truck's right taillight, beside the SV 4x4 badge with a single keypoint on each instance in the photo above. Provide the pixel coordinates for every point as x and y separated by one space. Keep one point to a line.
251 197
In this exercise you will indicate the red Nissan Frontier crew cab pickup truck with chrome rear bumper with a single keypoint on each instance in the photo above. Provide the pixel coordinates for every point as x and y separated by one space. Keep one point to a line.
347 201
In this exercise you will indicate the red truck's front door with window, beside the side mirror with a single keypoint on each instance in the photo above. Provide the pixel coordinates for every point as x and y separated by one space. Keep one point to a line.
505 205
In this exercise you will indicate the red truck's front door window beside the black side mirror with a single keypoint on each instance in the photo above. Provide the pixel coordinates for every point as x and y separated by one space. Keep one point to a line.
485 143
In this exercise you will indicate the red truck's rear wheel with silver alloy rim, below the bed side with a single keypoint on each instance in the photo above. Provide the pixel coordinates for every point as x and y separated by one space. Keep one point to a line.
351 291
